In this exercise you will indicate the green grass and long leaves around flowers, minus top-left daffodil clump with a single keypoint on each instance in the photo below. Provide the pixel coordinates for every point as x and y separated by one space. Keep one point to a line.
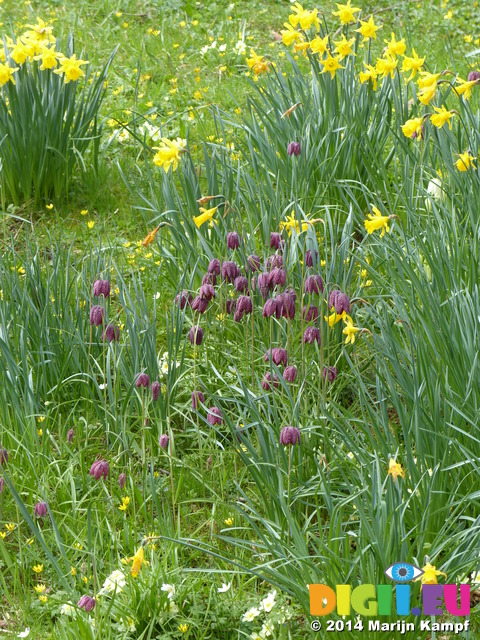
227 503
